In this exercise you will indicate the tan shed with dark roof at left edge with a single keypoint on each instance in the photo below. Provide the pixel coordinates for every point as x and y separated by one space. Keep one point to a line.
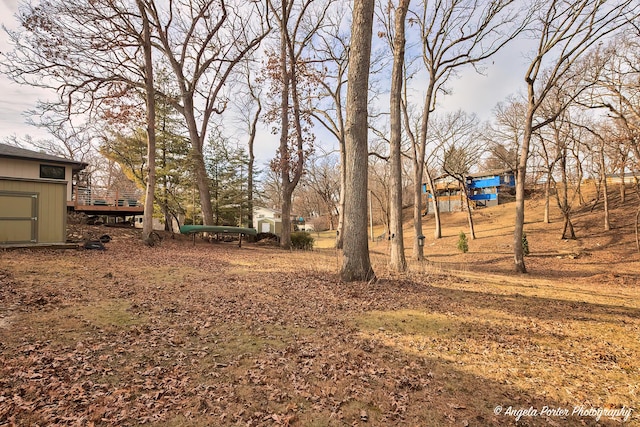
35 189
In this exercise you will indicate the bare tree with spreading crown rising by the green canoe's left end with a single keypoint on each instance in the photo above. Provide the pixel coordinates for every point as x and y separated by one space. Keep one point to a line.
203 42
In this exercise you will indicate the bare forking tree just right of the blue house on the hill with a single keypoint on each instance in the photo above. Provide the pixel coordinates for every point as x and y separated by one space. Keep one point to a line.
565 30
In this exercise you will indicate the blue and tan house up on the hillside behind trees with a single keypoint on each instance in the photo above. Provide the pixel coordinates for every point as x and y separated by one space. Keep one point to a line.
488 188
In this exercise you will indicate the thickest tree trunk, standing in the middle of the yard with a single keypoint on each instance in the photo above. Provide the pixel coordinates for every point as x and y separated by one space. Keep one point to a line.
356 264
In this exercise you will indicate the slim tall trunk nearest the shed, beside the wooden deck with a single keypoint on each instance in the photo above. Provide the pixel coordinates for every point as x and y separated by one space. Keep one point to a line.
147 221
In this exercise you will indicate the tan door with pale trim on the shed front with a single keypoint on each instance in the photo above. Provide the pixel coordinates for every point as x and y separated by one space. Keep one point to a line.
18 217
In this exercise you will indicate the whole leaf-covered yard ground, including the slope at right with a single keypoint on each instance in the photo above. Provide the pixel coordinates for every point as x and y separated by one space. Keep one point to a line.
213 334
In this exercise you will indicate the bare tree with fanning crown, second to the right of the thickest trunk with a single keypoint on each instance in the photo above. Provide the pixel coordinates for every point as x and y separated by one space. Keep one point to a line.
454 34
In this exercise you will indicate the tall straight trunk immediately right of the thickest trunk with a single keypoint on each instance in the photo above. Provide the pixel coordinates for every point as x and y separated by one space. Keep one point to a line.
397 261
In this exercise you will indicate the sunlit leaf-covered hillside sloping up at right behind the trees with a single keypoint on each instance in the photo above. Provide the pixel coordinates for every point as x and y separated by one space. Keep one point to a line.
595 252
